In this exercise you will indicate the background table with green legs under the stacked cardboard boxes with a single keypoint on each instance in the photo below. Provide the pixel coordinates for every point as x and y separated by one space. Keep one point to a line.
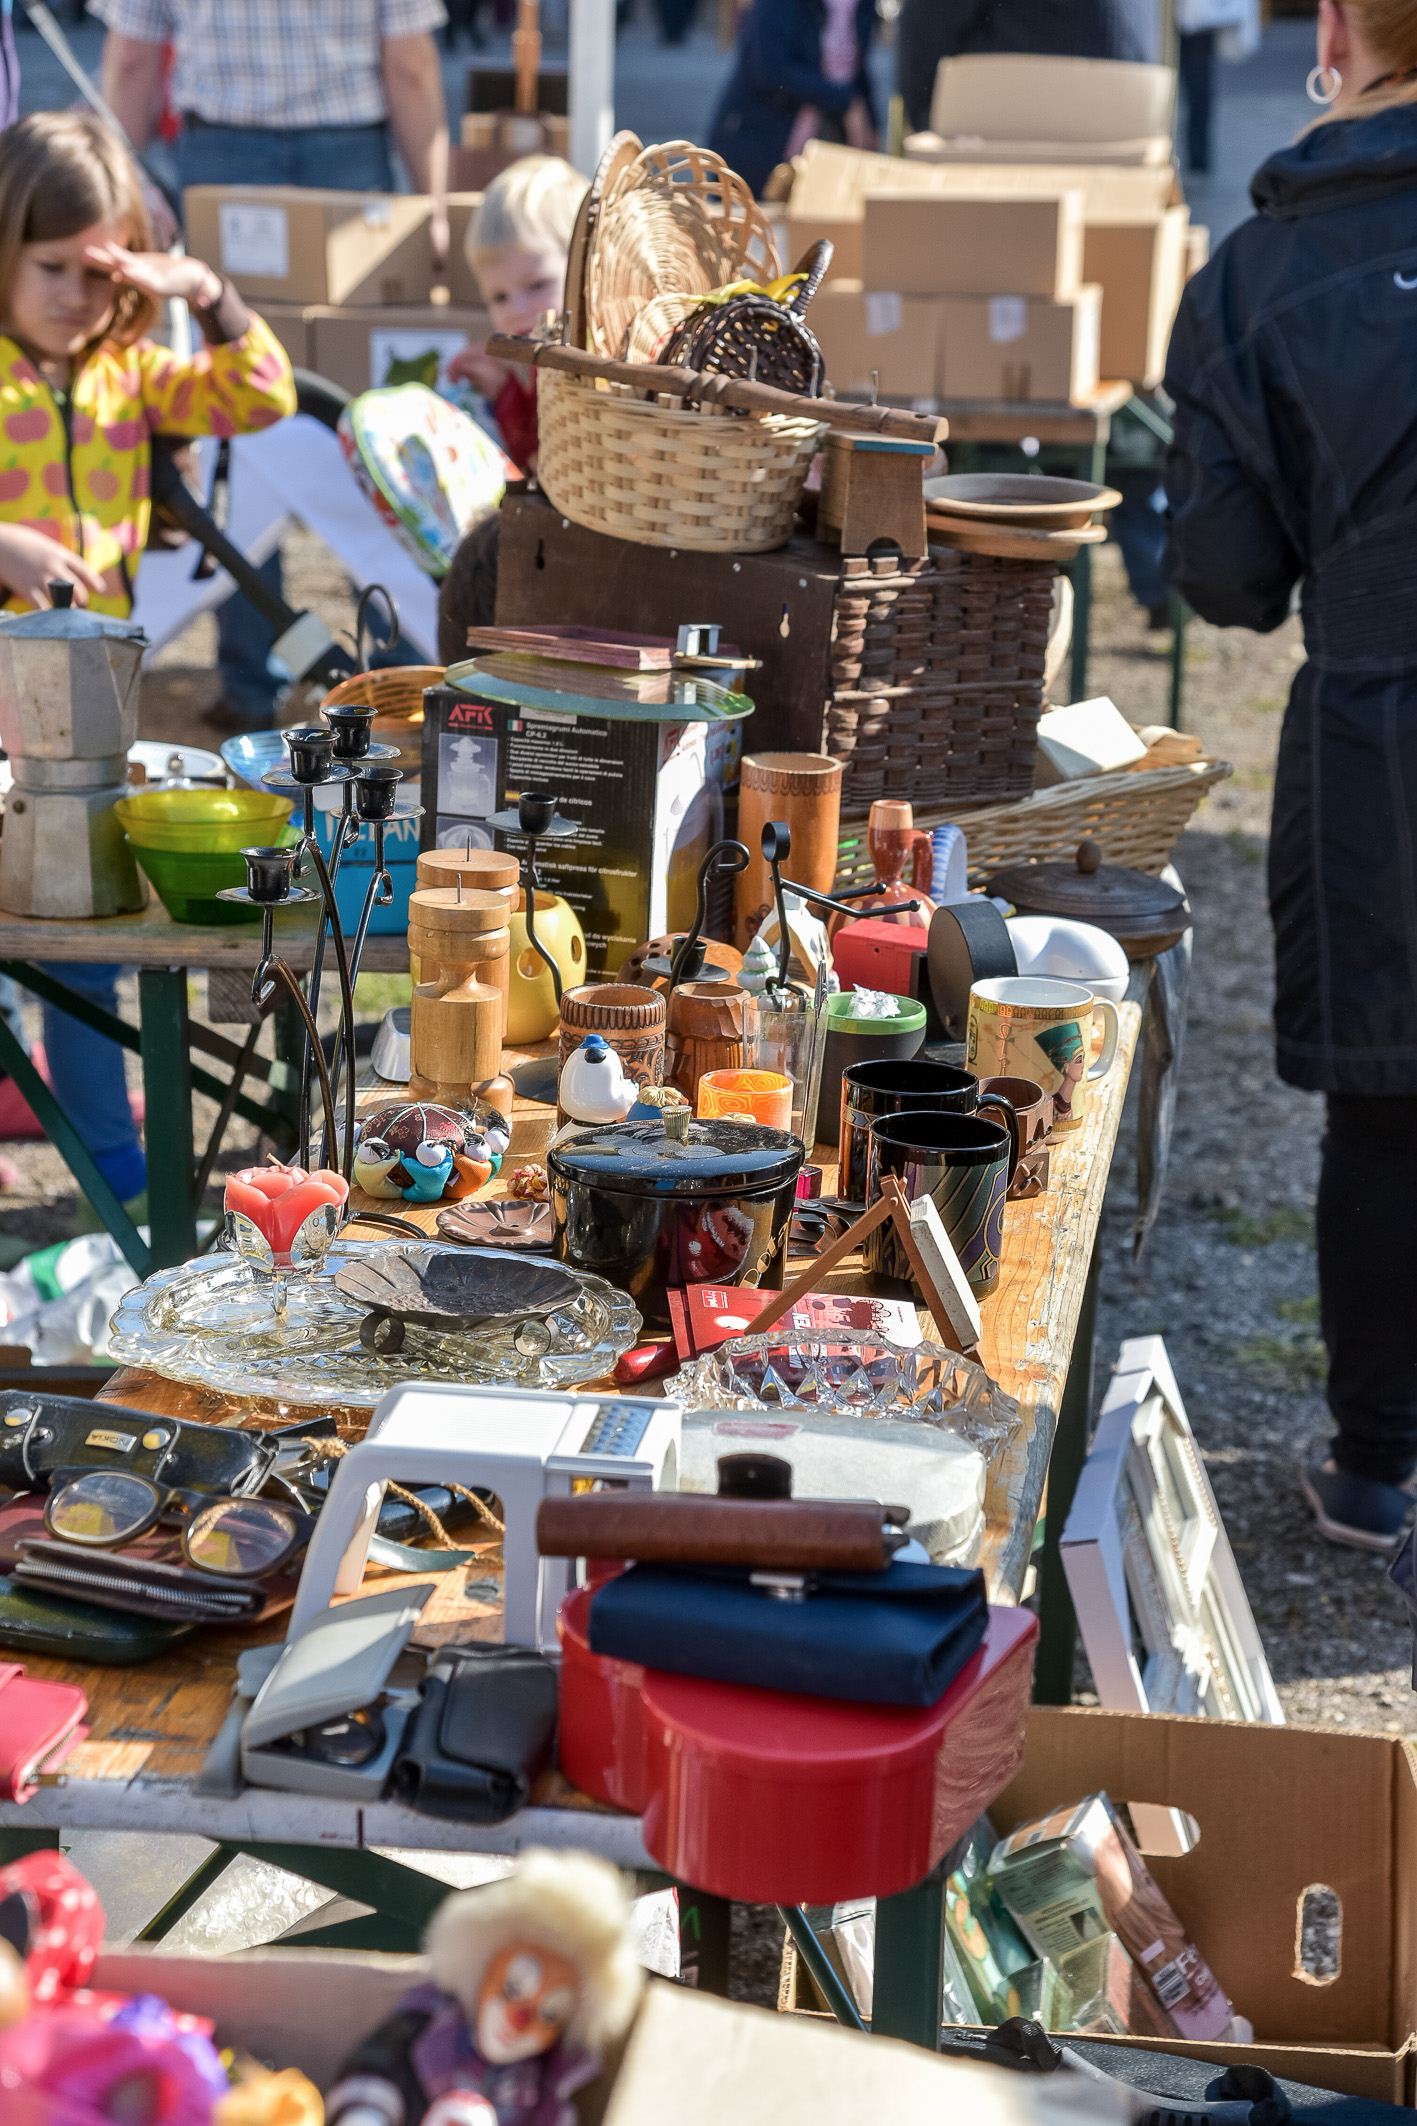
1072 439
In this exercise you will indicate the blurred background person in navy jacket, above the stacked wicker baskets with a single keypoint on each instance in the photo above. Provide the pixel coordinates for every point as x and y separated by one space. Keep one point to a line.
781 71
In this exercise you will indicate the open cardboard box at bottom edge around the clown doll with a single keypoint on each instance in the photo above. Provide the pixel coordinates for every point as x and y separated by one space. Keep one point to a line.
687 2057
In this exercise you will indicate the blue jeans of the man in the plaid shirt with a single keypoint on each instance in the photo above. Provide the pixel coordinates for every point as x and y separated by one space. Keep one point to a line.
358 158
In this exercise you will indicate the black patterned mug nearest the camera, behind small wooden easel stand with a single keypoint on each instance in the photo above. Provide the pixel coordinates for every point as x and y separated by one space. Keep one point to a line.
966 1166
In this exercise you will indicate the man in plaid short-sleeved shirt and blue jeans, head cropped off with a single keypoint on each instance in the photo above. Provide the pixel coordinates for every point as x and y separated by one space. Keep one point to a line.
284 92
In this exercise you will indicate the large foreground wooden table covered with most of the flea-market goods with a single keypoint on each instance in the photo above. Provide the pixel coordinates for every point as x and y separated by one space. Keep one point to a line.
150 1727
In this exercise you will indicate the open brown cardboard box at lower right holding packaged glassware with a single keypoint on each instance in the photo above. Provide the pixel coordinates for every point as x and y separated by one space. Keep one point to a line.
1348 1823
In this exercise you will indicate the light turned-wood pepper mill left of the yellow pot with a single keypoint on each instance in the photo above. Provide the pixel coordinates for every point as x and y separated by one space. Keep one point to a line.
460 949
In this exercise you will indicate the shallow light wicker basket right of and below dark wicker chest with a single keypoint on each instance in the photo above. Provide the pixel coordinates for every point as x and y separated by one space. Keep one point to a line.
1138 817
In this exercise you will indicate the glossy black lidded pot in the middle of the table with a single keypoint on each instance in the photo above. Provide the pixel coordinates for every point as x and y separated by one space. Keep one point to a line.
658 1209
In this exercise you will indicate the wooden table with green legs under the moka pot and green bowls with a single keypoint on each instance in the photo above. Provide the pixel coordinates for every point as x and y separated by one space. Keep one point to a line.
35 951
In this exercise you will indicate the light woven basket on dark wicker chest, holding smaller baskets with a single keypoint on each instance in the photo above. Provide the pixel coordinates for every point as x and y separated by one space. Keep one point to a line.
670 475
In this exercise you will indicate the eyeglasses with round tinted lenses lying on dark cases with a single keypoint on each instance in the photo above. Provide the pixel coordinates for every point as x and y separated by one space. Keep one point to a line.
228 1538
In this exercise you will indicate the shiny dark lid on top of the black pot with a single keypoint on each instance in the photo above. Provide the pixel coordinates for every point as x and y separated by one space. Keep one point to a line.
713 1160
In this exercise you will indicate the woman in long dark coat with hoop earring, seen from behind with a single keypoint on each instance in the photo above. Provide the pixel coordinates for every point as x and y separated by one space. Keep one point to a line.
1297 465
